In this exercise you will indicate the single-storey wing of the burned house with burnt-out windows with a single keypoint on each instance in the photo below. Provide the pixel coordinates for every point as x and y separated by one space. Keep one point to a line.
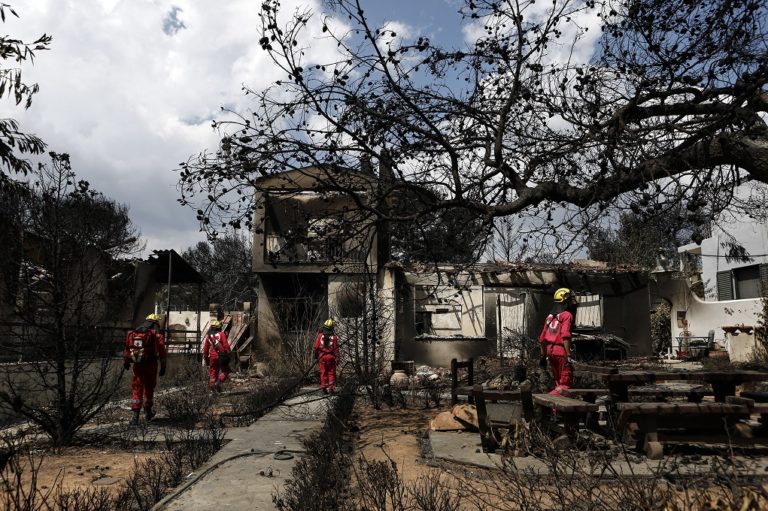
447 313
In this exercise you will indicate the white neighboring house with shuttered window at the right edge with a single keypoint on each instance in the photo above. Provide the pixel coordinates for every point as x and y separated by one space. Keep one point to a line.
731 277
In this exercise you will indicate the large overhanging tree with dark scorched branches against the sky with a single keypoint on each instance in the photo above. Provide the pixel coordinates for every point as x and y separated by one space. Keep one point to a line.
557 112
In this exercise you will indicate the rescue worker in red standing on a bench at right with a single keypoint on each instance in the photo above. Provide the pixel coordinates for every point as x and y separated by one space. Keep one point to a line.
555 339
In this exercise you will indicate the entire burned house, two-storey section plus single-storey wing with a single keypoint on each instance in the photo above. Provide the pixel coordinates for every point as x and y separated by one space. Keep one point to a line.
318 253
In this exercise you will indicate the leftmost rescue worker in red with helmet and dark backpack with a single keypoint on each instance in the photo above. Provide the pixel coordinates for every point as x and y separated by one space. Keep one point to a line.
145 348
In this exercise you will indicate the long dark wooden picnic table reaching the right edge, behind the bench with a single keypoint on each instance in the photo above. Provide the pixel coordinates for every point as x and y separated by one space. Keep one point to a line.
723 382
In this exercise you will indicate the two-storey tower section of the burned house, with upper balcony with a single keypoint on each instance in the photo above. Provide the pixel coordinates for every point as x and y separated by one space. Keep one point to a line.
316 254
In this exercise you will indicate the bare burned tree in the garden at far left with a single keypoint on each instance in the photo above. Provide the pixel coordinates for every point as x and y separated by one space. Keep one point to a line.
64 367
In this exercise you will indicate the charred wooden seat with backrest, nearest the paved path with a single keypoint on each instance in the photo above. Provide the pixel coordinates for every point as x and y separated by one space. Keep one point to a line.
499 414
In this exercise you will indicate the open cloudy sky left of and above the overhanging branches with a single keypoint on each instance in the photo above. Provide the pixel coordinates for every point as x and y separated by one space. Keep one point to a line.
129 87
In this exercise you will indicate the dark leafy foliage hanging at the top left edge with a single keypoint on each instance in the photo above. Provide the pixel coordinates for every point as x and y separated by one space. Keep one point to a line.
13 142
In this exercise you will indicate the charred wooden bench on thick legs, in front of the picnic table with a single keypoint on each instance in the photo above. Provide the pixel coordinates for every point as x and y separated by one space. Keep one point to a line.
641 423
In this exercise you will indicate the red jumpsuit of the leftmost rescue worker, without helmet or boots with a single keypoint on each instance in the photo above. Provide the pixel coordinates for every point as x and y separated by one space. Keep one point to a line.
152 346
